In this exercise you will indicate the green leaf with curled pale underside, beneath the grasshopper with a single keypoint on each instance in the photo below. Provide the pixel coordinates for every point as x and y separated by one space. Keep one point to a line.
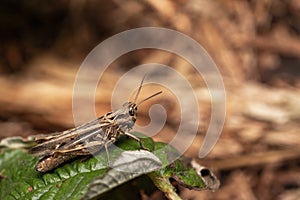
92 177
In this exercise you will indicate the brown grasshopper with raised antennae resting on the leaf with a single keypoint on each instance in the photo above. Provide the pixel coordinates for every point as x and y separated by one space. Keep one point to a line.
89 138
